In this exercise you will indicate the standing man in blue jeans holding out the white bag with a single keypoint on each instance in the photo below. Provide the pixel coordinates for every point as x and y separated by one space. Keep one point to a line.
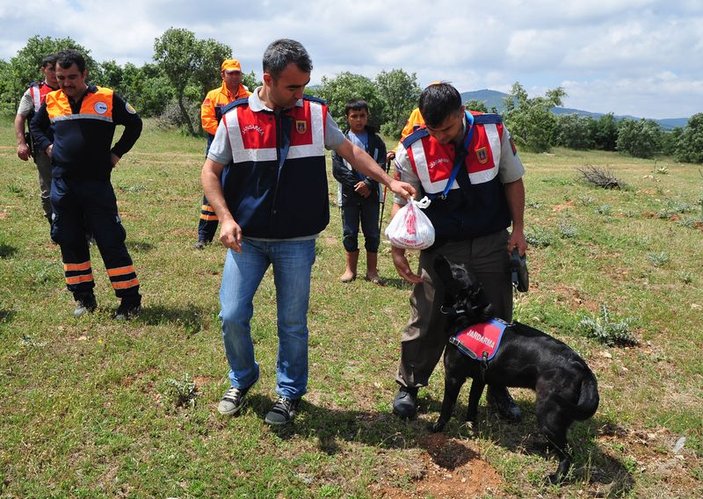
265 177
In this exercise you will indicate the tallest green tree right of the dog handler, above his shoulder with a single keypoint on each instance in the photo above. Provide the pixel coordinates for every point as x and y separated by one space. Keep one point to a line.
531 121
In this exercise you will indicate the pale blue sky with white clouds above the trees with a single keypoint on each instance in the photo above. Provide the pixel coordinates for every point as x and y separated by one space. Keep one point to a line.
640 58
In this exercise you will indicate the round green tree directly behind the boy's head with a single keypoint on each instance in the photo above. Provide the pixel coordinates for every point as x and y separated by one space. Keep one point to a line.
345 86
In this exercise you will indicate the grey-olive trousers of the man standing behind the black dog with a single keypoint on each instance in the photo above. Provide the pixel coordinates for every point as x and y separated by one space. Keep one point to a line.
424 338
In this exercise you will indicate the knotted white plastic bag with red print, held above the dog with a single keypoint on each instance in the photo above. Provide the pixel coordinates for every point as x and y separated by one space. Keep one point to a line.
410 228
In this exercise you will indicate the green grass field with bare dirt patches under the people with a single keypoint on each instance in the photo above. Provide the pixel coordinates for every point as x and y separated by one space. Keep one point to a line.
91 407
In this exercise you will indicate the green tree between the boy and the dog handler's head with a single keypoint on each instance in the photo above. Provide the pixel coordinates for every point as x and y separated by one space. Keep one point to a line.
399 92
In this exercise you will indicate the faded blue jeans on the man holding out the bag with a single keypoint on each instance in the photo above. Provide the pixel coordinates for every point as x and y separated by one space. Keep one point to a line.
292 265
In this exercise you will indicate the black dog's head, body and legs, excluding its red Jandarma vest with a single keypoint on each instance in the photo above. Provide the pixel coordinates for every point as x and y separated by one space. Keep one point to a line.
566 388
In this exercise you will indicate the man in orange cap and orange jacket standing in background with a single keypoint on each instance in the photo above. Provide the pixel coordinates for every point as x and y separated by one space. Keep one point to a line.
210 115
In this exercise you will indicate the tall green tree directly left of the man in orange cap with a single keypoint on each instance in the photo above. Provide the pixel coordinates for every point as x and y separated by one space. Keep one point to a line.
191 66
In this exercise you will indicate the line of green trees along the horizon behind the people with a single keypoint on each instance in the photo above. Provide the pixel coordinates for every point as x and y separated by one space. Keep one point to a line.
185 68
